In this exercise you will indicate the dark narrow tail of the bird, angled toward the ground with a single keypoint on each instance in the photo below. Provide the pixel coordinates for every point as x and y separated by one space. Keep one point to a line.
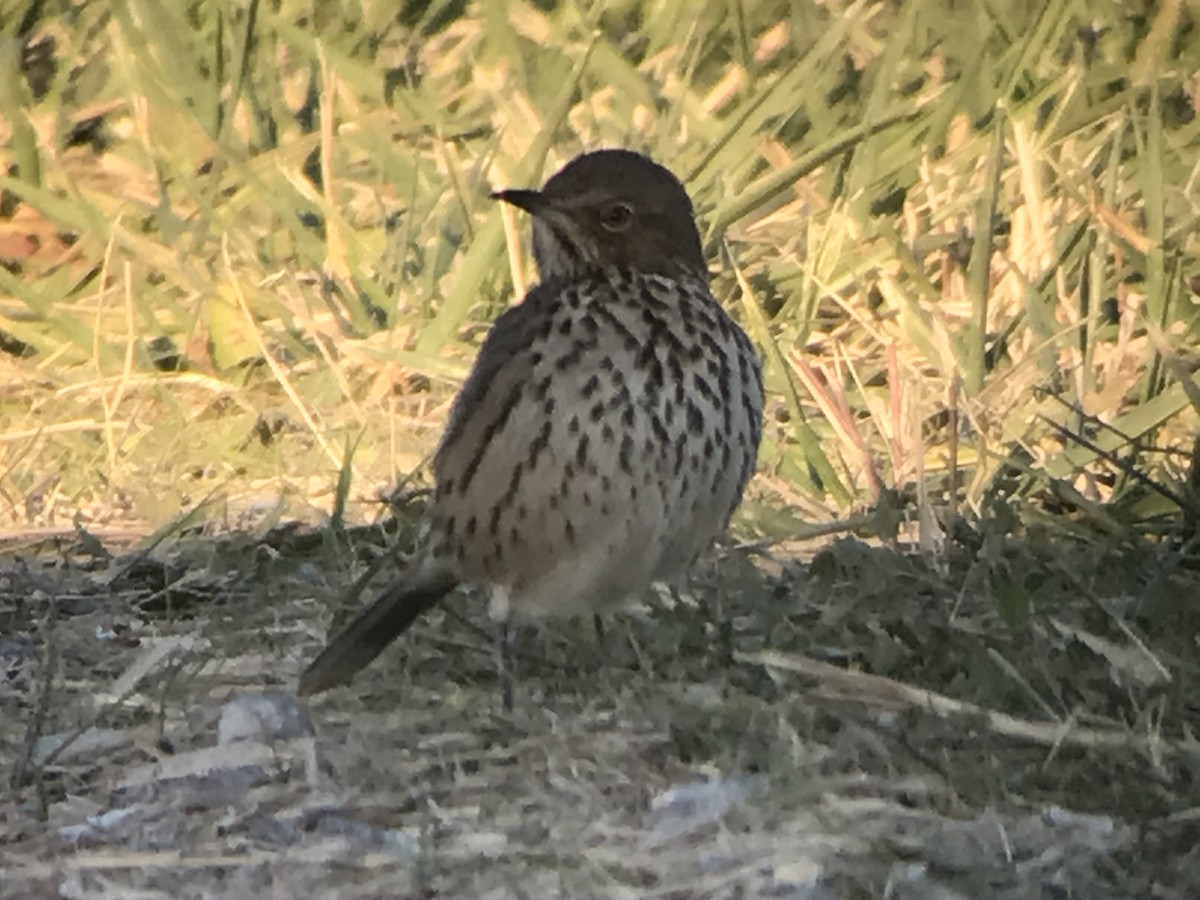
356 646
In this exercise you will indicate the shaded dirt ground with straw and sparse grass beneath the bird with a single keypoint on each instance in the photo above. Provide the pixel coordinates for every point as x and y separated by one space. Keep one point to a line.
1015 721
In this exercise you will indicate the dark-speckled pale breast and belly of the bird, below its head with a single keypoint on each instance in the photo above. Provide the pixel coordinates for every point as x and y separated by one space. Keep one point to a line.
610 451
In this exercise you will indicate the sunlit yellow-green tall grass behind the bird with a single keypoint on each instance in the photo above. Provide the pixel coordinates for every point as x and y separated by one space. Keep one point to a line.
241 239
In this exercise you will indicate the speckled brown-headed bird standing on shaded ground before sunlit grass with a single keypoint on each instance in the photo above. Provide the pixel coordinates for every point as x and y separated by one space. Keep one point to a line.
607 431
